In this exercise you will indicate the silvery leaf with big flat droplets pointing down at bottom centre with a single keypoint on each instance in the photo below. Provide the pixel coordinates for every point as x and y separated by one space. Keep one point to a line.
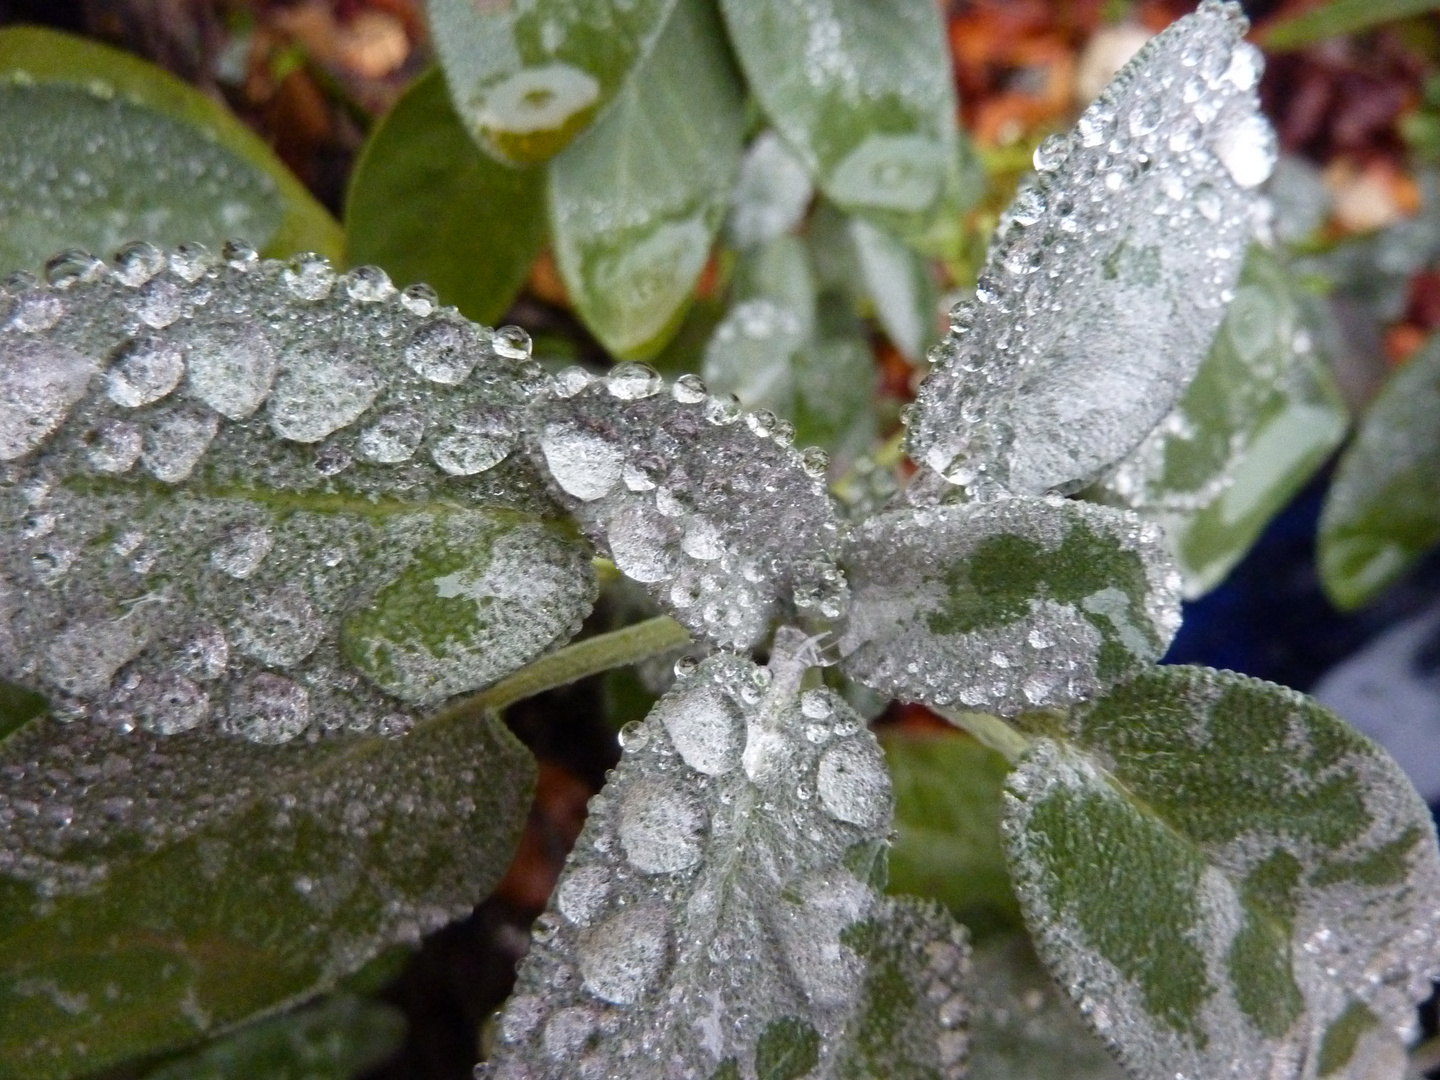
719 914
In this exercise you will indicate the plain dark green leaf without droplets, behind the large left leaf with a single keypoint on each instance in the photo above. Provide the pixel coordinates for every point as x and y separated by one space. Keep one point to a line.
428 207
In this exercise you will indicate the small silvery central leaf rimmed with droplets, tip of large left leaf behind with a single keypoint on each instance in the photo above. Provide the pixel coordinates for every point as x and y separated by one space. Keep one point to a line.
716 515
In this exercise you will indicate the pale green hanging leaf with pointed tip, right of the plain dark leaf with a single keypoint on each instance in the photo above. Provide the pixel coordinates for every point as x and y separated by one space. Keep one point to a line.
636 205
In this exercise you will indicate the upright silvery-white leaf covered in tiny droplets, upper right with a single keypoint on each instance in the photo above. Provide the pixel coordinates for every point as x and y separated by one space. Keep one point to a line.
1108 279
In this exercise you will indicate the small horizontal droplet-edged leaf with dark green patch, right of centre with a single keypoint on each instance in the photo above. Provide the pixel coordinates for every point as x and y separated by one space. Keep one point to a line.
1006 607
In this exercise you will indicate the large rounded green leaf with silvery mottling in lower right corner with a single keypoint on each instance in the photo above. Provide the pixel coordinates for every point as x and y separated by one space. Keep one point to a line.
1268 889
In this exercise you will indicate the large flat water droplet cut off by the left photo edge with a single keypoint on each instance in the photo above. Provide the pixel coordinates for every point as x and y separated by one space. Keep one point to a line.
40 385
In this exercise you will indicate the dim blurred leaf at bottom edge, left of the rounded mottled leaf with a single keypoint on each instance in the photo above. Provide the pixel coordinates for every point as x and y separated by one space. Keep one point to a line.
1023 1026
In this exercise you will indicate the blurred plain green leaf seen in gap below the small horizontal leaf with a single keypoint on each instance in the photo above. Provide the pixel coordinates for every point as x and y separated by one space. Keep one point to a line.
947 843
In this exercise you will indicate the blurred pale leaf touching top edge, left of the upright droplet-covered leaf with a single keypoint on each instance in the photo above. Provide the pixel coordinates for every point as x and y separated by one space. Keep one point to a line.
882 70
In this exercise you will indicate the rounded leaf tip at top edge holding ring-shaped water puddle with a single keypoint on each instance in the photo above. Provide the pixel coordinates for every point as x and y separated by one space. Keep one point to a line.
528 80
